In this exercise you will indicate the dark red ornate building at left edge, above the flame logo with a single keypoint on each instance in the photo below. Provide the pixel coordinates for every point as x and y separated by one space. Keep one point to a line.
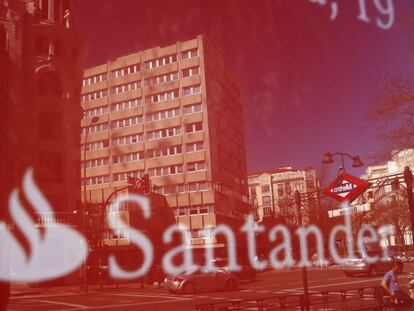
40 83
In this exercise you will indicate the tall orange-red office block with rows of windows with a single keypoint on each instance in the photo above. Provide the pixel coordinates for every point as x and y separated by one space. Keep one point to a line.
174 113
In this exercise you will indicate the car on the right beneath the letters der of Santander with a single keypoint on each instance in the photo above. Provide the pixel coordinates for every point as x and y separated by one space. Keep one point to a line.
360 265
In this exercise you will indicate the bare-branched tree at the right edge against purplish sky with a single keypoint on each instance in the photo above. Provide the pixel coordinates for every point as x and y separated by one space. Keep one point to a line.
394 116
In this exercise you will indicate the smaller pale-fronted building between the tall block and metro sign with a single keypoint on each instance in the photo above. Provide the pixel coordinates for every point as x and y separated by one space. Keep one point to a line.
272 191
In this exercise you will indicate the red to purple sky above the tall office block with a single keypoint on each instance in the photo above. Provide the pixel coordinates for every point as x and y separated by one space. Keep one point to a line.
307 83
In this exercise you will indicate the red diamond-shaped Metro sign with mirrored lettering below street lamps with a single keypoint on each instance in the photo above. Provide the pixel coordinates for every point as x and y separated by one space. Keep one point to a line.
346 188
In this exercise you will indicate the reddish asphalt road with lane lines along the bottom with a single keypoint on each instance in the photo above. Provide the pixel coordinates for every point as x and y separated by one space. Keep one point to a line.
132 297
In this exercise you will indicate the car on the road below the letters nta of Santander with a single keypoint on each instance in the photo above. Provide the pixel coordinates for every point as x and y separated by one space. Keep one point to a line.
199 279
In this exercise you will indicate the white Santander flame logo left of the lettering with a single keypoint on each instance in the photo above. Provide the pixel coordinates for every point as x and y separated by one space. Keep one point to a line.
53 253
